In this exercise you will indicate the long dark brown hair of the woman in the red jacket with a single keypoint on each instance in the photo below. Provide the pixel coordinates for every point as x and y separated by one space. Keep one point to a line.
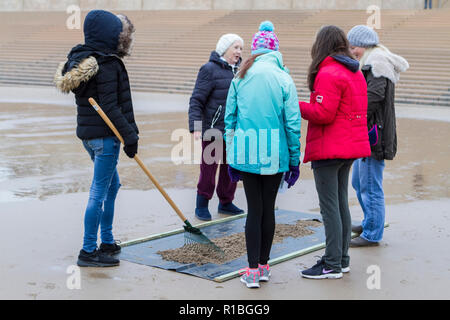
330 40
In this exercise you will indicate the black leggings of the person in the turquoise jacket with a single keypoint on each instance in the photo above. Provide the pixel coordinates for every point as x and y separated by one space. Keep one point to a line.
261 192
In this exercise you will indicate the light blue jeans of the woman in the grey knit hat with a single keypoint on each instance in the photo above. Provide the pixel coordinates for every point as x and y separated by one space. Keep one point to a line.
367 180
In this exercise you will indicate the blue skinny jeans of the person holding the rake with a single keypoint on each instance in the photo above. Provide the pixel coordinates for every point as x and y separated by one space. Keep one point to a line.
104 153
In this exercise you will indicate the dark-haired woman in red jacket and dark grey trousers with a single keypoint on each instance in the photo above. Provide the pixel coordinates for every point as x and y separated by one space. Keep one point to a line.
337 134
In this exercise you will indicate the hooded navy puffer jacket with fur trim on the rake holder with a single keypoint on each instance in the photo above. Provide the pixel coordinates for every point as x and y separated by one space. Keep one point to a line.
95 70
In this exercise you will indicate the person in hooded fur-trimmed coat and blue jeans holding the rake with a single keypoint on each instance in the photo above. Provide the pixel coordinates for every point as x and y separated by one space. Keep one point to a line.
96 70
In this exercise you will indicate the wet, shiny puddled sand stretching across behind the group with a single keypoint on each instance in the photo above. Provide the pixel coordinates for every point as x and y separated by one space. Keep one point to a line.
40 156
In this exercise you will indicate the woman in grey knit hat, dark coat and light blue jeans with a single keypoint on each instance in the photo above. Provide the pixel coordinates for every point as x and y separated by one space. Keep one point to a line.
381 69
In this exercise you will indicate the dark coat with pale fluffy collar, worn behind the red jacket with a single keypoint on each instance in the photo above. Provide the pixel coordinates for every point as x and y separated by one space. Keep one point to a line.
381 111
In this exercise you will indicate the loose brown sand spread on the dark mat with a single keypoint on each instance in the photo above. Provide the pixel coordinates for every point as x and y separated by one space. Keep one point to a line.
233 246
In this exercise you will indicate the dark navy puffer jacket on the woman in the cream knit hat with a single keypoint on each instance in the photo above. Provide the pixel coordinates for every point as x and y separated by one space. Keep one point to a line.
210 92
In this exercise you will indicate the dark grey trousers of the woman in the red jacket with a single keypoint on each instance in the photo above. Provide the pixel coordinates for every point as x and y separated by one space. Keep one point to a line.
332 188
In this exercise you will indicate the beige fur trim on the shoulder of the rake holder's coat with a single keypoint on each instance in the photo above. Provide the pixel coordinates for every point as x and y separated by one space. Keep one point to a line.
83 72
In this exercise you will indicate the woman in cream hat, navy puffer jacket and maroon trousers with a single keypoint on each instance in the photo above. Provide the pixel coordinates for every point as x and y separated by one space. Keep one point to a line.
206 119
